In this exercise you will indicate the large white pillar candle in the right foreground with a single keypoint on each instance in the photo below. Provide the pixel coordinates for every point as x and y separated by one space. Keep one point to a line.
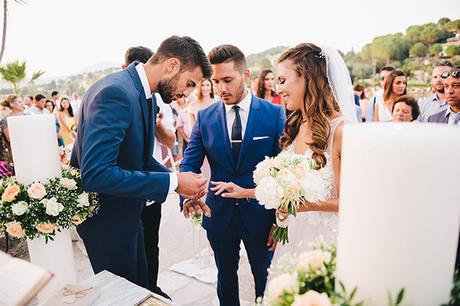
399 211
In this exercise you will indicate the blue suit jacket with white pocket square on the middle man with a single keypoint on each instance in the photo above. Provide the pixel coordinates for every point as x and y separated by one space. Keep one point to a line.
210 138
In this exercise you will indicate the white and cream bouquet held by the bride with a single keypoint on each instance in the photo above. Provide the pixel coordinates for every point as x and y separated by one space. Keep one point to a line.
287 181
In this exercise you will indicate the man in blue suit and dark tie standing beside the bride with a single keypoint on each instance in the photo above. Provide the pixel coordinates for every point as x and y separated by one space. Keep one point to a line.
235 134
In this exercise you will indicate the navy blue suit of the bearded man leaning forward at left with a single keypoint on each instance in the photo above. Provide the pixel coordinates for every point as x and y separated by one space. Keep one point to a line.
114 155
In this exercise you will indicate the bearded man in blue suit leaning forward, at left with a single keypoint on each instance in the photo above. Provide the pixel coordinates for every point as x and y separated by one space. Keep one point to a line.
114 147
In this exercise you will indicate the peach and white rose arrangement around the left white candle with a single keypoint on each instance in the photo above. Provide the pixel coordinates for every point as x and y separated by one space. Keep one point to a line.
41 209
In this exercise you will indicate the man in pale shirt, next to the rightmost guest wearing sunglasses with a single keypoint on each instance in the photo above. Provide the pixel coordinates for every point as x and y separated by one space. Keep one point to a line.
436 102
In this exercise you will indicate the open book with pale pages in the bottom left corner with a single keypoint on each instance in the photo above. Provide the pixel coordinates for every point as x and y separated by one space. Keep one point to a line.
20 280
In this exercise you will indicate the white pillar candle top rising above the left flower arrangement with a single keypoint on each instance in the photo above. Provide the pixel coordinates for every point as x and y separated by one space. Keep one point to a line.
34 147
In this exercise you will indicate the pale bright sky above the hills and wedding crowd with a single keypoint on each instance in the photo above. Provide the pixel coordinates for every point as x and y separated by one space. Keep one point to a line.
64 37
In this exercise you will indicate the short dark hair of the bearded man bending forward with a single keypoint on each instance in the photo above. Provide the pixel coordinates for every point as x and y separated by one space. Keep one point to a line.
187 50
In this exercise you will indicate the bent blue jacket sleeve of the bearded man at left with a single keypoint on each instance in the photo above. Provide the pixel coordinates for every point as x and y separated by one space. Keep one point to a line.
108 118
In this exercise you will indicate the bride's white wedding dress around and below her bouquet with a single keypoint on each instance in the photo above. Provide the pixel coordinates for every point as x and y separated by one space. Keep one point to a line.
307 227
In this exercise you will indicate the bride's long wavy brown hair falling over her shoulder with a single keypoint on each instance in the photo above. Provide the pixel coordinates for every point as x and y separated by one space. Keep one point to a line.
319 102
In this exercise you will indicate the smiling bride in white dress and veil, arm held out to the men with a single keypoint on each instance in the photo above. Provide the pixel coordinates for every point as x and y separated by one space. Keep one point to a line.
315 85
